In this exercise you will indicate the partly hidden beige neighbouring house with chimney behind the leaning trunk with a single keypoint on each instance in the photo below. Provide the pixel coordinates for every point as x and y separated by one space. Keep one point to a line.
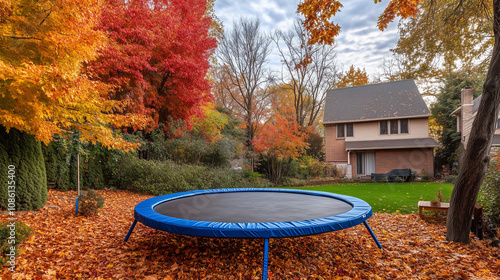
466 114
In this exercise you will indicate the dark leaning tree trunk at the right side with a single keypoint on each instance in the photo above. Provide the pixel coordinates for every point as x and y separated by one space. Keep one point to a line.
476 158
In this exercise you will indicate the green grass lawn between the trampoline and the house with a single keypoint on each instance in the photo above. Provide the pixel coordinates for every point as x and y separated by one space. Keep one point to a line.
390 197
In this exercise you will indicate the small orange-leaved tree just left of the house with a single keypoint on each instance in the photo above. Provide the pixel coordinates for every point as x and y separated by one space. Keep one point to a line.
280 141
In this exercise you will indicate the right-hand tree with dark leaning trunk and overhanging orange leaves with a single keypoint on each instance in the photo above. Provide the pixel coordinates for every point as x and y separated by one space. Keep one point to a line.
476 158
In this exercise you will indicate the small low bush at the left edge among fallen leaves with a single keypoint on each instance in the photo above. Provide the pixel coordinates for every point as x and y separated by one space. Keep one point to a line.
12 238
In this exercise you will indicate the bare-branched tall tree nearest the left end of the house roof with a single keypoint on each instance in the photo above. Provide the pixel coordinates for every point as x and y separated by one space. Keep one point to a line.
308 70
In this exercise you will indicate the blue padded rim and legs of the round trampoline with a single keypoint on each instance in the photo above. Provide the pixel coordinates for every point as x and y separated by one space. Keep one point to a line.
145 214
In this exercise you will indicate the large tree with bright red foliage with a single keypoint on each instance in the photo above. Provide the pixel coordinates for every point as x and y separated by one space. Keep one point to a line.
158 56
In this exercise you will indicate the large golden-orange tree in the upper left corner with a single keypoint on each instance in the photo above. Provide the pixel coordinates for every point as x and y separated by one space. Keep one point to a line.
43 90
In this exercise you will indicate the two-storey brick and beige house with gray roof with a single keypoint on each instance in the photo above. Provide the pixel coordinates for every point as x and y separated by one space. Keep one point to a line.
377 128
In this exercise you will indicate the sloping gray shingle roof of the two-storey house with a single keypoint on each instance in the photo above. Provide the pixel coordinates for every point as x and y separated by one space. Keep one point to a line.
399 99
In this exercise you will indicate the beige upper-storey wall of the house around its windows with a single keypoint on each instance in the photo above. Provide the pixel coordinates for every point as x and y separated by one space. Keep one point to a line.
366 131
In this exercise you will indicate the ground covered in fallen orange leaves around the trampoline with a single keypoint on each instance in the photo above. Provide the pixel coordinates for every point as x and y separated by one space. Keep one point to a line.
65 246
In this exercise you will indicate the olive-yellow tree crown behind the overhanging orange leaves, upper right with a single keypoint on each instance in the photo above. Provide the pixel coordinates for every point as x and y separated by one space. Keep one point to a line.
442 37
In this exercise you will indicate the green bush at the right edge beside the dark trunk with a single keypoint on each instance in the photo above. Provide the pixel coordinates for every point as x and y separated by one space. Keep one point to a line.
489 194
